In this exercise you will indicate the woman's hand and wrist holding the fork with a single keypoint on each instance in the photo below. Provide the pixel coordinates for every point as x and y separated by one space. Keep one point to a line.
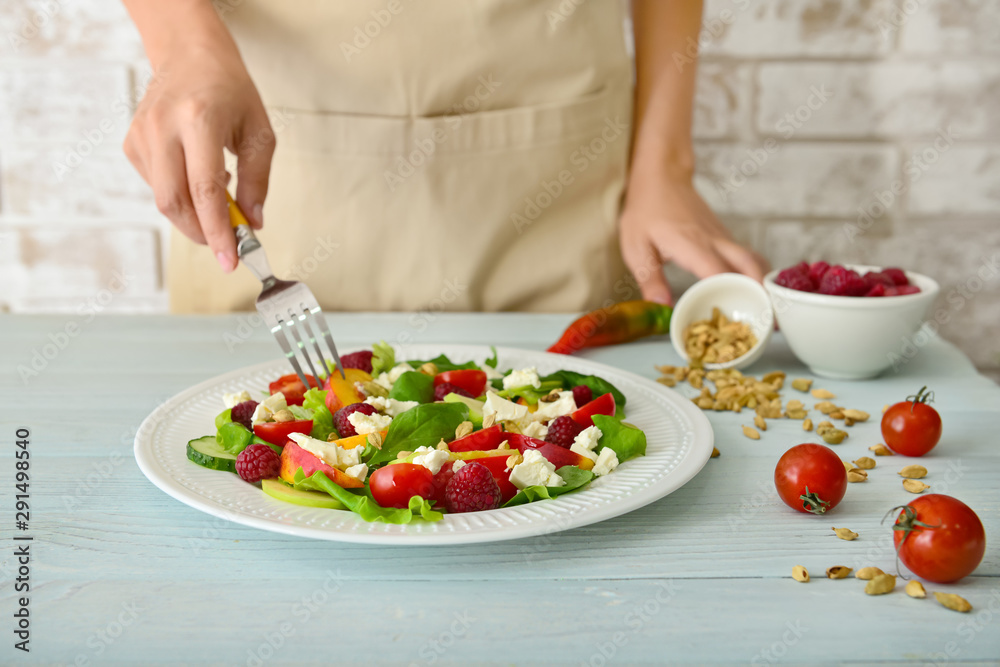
200 100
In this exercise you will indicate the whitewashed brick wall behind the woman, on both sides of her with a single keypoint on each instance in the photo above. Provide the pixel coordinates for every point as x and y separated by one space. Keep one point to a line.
835 100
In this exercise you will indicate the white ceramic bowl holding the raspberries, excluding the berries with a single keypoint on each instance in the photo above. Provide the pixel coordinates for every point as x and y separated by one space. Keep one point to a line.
849 337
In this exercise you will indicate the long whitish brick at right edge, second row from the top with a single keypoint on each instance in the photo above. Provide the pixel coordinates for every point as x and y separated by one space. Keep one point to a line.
897 99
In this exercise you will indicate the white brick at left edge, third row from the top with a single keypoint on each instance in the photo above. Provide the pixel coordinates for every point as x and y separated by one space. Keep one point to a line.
40 180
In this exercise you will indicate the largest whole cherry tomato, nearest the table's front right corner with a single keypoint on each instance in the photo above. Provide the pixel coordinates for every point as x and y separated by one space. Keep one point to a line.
939 538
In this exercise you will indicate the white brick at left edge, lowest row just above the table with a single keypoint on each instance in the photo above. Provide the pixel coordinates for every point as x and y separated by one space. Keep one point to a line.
54 266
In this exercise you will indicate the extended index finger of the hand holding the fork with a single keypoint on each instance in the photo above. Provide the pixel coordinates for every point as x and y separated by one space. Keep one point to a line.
206 174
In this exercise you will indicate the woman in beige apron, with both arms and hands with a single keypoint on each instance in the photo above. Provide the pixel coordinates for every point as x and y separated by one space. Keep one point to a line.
487 155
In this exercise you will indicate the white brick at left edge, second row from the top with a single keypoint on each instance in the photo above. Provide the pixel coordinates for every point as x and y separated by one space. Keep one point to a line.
66 103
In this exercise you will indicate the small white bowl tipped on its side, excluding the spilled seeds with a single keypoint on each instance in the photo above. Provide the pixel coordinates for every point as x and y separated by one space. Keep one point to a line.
740 298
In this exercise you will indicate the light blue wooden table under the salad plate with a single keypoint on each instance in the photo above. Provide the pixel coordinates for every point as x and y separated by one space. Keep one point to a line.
123 574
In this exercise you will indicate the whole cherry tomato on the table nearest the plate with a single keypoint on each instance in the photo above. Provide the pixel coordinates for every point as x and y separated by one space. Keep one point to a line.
810 478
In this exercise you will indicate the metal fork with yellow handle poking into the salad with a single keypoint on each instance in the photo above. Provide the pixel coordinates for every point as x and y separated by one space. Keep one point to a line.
288 306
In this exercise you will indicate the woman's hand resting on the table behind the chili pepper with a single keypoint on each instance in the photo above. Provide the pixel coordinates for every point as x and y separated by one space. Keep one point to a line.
665 220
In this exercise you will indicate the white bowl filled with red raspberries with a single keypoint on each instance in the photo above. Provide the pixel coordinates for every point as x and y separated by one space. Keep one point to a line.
849 321
